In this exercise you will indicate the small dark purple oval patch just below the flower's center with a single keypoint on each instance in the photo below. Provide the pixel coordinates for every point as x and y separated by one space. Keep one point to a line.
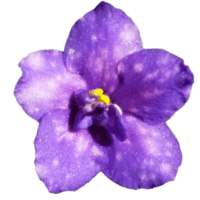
100 135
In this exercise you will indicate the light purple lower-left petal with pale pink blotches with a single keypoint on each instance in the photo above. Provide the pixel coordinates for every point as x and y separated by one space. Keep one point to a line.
64 161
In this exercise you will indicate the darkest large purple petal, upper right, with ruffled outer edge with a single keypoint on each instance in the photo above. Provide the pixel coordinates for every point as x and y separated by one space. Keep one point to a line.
155 84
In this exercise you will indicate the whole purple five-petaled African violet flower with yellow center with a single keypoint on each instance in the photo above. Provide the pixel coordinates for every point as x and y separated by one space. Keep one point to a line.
102 104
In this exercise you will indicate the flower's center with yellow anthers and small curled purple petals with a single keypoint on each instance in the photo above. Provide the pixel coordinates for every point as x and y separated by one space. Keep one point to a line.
96 109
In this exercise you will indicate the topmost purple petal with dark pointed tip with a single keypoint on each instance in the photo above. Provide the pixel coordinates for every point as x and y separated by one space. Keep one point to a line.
97 41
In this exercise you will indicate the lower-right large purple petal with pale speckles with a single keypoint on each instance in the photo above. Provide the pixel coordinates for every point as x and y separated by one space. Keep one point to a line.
149 158
